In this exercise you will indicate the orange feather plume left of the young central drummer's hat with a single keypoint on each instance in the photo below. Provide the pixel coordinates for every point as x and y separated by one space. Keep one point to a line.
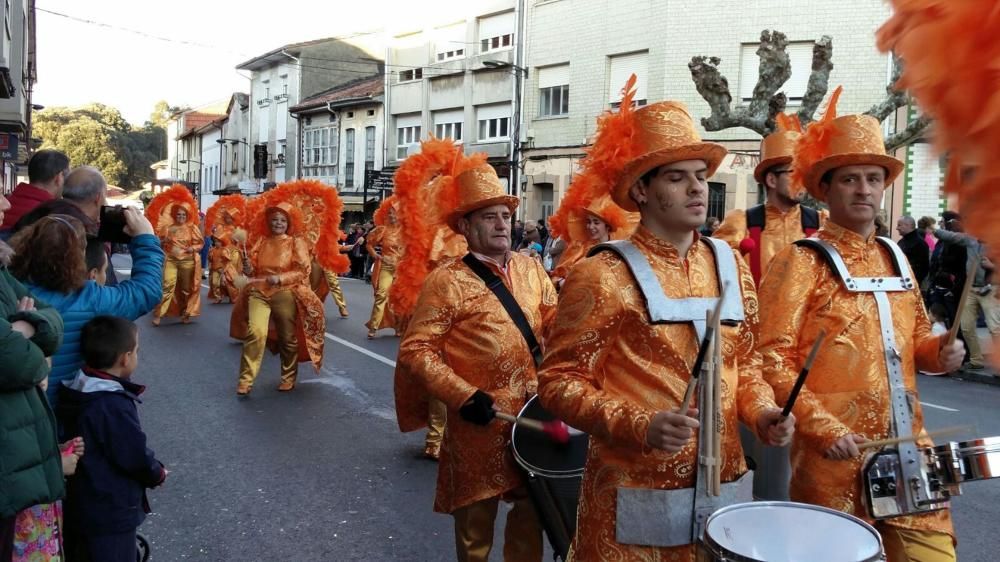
604 161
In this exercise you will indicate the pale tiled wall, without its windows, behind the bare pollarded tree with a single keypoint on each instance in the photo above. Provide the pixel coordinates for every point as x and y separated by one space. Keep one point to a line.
584 34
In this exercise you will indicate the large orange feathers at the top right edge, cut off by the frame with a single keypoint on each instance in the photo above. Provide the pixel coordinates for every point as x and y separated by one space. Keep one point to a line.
951 62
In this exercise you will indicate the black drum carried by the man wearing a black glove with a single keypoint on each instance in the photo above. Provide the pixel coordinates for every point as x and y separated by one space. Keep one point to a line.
538 454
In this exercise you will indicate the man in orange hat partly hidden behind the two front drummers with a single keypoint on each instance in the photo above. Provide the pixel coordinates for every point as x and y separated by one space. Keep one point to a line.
759 233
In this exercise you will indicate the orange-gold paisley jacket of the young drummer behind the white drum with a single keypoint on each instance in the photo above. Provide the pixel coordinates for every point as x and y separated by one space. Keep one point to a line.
608 371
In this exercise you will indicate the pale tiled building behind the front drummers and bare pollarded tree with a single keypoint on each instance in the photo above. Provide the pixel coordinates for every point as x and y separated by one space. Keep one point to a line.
580 53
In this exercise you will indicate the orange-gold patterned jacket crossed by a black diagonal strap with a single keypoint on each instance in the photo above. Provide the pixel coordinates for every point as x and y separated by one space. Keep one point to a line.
461 339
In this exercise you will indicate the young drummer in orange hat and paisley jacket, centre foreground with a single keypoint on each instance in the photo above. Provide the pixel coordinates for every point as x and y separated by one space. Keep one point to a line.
611 371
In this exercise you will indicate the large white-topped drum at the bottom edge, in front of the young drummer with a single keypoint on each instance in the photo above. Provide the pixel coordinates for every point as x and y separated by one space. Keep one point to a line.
787 532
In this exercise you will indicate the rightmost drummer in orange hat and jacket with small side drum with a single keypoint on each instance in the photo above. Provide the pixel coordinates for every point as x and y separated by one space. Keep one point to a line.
860 290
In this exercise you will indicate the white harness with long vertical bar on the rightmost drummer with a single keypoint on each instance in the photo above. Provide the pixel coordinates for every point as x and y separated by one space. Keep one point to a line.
902 409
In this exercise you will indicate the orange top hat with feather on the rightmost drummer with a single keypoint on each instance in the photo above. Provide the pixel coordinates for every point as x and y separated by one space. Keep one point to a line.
834 142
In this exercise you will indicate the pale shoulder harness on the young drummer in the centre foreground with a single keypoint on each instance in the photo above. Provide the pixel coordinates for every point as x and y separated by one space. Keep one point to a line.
665 310
